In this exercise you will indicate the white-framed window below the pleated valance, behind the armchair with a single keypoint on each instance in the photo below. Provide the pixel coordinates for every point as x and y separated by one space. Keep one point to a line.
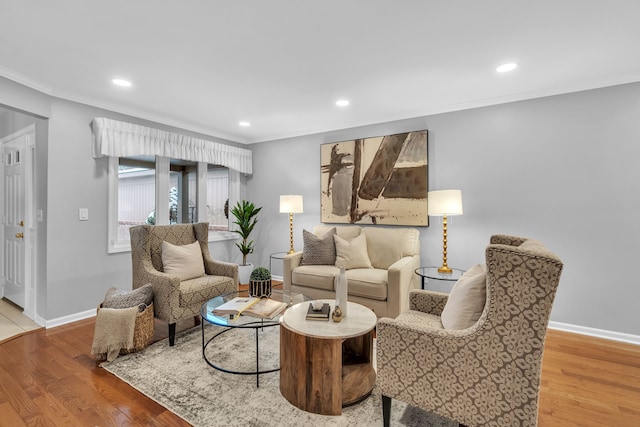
138 184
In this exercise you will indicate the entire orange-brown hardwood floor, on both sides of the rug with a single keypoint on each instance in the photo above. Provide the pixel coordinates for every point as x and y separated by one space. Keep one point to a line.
48 378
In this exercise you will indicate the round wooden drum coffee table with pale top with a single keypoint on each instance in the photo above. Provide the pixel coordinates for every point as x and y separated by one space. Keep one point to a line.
326 365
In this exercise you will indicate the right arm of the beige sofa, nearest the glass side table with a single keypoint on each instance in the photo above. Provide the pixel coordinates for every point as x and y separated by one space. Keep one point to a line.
401 280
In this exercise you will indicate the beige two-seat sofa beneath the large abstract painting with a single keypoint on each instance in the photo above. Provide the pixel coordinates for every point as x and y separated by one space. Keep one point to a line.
394 254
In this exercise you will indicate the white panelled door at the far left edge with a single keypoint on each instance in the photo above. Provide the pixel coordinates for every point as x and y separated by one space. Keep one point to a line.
14 158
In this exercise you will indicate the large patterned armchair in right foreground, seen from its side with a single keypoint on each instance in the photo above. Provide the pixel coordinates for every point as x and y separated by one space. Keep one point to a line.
487 374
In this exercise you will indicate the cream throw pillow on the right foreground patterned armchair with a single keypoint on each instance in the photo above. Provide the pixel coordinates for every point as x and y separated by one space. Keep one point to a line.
466 300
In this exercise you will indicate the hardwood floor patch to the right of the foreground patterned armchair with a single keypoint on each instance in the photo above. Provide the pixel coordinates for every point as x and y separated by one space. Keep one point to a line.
589 382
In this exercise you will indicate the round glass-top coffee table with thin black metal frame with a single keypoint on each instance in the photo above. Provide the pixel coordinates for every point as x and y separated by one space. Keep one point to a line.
230 322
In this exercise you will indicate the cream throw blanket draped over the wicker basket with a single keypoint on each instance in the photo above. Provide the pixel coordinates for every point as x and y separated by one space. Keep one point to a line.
114 331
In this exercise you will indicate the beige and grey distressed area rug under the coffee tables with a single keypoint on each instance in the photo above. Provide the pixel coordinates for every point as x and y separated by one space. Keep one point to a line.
179 379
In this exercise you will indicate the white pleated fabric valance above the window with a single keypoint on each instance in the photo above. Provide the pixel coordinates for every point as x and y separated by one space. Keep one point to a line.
121 139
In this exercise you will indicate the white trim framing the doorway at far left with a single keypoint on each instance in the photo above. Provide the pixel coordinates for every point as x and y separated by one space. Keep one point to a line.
30 240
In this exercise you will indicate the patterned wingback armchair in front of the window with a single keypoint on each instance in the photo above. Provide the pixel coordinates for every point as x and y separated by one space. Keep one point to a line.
175 298
